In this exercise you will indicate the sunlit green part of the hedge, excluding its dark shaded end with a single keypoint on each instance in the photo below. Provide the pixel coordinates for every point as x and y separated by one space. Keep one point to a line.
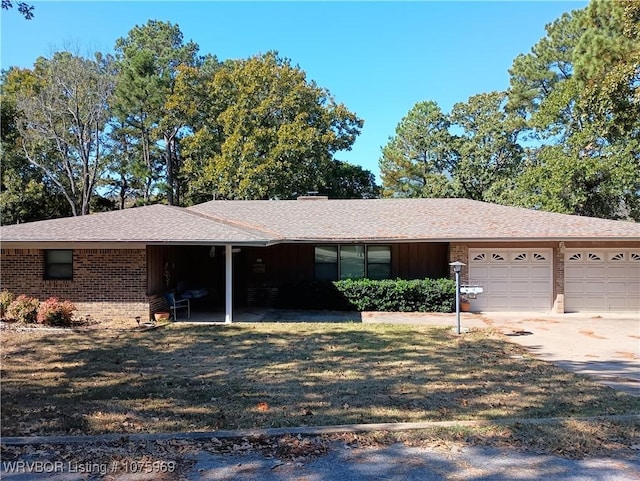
399 295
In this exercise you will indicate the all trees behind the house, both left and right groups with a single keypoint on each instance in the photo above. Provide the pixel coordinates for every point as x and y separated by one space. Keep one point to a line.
156 121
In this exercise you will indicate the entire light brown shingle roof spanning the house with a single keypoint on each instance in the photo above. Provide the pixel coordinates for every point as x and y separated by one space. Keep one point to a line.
372 220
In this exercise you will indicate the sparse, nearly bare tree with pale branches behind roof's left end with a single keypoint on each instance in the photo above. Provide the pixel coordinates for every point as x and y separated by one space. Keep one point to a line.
61 117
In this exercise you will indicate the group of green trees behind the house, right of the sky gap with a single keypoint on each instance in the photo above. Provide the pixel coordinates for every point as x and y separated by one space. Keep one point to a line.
564 137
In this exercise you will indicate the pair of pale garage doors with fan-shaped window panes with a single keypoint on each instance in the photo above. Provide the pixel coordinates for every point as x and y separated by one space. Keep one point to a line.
523 279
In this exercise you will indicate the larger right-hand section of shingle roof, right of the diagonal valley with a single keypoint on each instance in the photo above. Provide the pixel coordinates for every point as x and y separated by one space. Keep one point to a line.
412 219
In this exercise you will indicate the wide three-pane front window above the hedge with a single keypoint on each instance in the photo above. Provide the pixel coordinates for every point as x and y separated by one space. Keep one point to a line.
352 262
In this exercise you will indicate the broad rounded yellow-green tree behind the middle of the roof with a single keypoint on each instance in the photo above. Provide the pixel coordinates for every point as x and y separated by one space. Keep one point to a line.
267 132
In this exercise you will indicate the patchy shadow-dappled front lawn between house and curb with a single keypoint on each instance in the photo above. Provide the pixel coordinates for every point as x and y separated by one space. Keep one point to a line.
204 378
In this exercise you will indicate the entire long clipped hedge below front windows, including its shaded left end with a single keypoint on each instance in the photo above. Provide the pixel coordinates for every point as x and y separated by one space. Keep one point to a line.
420 295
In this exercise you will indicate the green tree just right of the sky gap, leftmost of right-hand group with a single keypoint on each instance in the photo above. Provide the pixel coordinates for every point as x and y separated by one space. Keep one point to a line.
418 160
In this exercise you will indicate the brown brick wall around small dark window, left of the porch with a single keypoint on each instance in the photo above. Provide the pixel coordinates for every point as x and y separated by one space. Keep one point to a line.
106 284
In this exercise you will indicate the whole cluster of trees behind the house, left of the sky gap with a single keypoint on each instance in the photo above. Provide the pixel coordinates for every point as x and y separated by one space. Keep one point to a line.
157 122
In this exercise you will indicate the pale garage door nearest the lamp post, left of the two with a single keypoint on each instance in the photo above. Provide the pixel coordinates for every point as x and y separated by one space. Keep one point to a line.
512 279
